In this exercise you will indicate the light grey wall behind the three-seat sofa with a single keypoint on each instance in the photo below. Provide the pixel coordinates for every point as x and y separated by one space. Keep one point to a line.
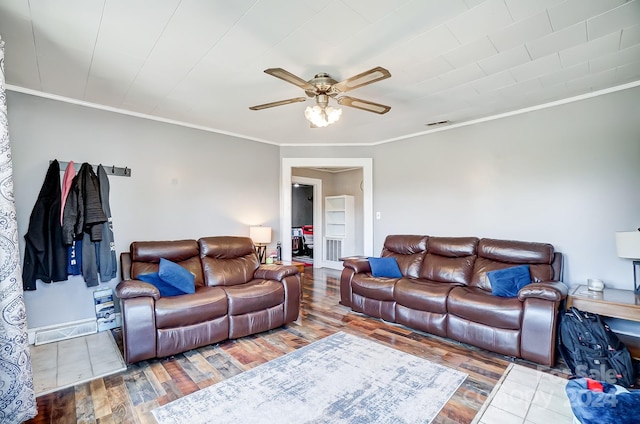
568 175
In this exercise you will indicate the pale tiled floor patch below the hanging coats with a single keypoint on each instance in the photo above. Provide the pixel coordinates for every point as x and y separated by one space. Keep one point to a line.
68 362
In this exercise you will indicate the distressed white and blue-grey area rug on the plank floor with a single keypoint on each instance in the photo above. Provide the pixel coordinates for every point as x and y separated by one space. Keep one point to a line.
339 379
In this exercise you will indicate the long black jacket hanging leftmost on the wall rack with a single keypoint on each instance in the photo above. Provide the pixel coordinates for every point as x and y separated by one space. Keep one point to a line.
45 256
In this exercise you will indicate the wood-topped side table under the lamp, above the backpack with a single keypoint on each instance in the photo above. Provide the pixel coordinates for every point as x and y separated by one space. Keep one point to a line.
614 303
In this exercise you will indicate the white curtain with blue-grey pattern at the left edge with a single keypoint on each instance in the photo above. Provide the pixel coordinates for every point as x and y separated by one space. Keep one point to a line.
17 397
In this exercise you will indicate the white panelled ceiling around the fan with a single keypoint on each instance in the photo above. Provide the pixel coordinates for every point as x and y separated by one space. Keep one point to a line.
201 62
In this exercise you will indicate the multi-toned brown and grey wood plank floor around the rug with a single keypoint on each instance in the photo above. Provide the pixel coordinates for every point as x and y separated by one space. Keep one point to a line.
128 397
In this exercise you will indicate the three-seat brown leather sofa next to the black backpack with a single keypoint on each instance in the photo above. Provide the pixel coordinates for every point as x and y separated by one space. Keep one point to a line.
444 290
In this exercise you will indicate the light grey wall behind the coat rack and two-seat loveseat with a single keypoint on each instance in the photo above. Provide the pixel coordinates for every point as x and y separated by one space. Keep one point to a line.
185 183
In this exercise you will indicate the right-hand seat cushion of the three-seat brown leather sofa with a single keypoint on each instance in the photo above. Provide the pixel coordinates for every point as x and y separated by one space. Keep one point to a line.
477 305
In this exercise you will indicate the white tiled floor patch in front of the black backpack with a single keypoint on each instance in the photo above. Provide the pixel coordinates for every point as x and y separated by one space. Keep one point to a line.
527 396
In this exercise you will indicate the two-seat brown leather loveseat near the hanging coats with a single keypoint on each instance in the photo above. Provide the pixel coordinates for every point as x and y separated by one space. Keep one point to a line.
234 296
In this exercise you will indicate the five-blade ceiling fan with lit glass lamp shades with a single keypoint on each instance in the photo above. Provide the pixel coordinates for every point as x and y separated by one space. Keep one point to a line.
322 87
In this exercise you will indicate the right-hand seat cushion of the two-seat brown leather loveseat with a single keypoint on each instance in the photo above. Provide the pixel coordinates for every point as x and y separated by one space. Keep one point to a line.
254 296
